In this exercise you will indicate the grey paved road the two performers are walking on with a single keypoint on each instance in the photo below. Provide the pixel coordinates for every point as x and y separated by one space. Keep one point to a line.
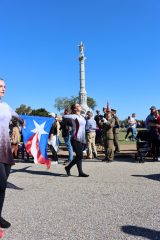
119 200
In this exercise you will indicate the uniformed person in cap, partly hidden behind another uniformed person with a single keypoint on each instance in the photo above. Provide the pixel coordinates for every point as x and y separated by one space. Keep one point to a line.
116 130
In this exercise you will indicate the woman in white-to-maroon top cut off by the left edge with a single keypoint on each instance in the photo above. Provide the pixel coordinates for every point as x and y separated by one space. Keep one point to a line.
6 157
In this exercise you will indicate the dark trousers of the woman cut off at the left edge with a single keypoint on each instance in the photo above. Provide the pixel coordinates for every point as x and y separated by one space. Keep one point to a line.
4 173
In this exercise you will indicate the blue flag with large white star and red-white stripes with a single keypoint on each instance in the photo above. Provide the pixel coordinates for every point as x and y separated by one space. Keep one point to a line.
35 137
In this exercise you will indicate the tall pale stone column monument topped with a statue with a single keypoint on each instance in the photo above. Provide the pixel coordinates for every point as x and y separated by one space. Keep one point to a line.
82 93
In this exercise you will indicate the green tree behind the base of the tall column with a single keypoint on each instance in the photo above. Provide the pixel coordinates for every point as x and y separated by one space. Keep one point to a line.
62 102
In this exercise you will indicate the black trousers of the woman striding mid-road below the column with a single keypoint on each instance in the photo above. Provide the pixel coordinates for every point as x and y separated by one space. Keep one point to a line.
78 148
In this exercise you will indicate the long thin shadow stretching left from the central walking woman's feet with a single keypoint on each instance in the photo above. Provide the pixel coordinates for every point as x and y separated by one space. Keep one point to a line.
25 170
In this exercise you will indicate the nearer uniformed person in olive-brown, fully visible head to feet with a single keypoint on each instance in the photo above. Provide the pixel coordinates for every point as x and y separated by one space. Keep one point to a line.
107 127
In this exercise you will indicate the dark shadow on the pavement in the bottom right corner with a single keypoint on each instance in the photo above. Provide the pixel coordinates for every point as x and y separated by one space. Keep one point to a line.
146 233
